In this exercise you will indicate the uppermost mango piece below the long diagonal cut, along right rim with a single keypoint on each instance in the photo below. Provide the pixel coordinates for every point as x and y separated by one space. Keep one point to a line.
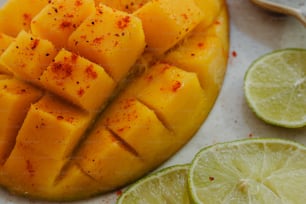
205 54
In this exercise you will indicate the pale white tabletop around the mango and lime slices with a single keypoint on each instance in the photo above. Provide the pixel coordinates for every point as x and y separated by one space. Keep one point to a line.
254 32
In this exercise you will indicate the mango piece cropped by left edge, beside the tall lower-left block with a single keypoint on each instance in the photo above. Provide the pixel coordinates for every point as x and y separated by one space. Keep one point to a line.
16 98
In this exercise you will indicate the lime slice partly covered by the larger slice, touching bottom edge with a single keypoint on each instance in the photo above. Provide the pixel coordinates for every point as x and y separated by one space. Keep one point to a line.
168 186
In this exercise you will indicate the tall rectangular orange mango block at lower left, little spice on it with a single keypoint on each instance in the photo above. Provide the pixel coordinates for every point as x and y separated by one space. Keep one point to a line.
50 125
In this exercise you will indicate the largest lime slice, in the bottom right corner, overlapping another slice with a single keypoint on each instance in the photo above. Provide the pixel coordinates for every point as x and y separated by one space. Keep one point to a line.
249 171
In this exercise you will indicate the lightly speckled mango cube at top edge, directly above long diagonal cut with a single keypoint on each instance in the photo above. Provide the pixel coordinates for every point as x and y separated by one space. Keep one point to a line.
165 23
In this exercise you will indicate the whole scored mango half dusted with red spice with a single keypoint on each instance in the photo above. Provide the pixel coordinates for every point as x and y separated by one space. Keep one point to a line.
95 98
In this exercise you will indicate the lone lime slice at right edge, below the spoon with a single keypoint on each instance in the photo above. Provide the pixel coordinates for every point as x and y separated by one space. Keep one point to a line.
275 88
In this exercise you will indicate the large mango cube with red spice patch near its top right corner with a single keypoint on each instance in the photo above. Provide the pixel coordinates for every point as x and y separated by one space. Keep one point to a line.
106 37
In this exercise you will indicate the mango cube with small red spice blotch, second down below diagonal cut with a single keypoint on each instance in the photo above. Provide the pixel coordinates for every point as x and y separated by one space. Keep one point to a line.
162 87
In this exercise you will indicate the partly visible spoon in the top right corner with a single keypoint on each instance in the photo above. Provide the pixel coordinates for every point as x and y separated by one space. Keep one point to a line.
296 8
